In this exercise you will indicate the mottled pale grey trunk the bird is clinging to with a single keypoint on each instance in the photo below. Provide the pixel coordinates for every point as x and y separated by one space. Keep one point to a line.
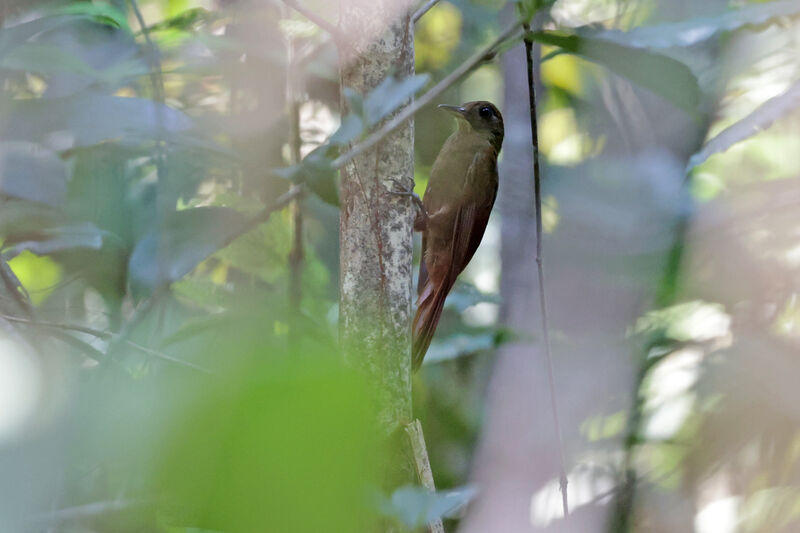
375 227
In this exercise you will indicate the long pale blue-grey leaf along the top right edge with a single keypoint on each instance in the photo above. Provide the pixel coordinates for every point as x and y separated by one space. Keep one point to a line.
700 29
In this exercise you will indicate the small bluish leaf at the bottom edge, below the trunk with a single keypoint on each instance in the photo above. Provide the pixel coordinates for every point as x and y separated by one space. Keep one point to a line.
416 506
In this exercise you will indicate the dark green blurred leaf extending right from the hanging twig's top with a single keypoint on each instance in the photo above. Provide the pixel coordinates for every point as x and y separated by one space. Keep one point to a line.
666 77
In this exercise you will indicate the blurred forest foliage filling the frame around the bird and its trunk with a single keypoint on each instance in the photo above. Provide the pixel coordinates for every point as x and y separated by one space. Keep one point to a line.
168 342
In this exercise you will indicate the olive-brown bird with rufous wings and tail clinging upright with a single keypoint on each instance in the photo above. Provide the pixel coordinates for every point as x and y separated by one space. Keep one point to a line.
458 200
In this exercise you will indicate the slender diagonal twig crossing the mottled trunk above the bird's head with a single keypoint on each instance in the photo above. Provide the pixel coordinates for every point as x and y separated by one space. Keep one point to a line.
409 111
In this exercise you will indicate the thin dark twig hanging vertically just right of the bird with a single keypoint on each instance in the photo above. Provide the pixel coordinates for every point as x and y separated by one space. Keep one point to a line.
537 186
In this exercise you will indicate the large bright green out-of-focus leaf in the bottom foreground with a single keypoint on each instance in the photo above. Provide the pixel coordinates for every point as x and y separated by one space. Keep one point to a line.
280 445
